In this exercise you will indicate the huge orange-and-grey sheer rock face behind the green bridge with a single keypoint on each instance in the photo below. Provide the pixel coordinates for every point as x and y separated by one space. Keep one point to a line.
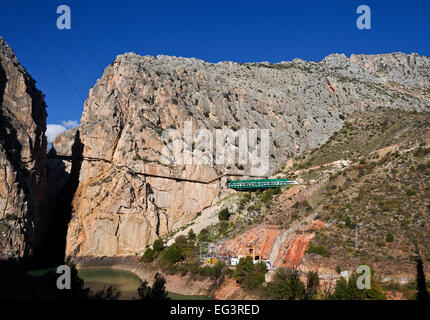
120 205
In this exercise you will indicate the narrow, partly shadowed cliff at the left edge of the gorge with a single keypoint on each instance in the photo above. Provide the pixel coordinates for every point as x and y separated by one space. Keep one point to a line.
22 159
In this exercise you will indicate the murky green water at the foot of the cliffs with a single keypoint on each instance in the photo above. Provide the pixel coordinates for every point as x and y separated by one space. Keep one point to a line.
125 282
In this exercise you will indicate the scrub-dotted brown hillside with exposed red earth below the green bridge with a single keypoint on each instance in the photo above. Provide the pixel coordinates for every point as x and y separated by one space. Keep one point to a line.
363 198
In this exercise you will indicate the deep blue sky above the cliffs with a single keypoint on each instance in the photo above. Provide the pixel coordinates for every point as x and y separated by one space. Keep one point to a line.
67 63
